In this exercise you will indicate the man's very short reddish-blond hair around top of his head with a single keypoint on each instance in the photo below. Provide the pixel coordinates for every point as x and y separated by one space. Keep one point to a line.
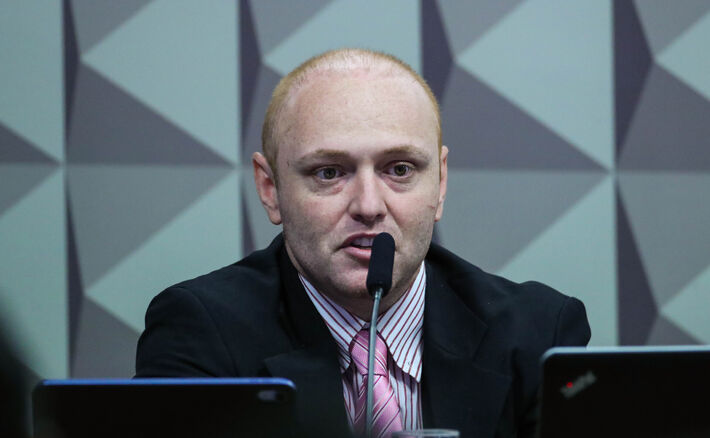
340 60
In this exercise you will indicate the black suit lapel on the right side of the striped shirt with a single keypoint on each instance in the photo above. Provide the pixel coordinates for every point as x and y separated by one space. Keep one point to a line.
457 393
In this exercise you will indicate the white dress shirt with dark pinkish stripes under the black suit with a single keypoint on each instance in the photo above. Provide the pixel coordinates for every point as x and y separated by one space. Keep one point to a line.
401 328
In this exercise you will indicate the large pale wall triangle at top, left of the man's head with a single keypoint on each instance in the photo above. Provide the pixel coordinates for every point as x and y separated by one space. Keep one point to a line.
180 59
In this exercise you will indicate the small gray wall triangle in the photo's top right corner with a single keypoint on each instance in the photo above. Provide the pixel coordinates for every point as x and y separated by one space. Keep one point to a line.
663 21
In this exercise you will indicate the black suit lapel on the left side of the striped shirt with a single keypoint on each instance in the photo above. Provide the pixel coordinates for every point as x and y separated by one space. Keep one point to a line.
313 364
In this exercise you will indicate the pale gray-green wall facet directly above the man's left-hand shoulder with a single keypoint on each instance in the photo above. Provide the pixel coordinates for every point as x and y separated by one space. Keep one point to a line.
205 237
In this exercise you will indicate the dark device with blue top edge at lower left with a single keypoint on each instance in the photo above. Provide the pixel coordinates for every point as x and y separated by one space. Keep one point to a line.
164 407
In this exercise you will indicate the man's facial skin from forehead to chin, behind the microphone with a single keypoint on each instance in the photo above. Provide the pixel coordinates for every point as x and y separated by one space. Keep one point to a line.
359 125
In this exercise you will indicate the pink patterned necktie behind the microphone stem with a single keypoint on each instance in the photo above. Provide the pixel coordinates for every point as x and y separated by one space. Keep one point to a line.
385 406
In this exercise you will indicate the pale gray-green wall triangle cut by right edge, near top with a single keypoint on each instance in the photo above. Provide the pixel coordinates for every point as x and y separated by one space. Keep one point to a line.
687 57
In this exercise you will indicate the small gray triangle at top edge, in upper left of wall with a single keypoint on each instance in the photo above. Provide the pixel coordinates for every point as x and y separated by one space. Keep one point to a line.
94 19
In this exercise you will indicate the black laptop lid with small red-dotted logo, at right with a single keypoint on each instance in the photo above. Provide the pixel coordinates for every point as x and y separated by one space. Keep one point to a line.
626 392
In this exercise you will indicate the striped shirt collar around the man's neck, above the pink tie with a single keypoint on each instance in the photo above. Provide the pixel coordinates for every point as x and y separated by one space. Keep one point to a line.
400 326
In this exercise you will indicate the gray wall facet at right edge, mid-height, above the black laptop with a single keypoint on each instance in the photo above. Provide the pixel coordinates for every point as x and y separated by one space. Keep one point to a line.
669 214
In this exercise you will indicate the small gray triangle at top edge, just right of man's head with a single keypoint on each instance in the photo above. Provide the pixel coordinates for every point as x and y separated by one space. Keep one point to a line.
467 21
